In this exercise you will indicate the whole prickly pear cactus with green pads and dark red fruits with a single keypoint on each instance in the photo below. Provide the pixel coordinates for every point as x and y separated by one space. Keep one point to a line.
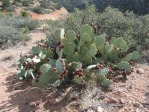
79 57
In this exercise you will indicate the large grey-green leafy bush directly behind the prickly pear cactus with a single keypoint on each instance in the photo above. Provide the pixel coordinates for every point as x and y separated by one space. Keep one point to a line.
134 29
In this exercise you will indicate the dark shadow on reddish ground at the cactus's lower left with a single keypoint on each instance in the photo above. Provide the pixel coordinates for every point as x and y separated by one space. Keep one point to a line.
25 98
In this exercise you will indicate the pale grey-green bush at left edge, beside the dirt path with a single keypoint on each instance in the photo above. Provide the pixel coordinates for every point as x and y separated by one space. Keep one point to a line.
15 29
